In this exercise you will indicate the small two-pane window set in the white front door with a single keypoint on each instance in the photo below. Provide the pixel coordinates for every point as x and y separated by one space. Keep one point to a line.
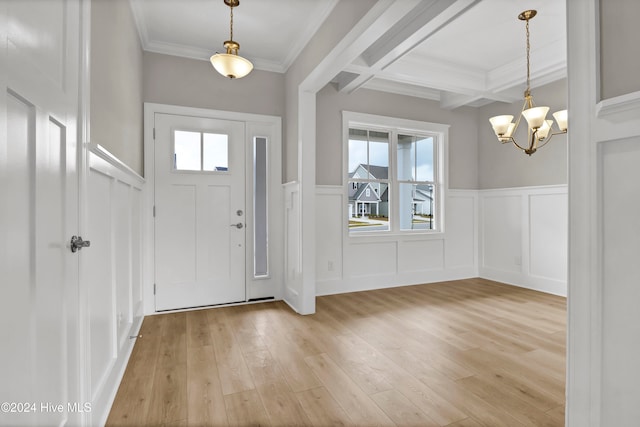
200 151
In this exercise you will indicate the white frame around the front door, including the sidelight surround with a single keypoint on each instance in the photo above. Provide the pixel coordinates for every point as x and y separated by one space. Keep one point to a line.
264 270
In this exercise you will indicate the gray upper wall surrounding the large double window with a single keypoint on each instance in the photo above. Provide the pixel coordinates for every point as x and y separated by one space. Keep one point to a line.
463 133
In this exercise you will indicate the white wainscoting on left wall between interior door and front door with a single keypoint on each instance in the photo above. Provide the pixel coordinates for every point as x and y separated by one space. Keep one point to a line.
111 268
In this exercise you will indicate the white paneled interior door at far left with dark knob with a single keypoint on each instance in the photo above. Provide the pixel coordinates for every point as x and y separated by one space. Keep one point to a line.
39 212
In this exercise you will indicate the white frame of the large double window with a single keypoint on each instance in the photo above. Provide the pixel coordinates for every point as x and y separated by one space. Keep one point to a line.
396 126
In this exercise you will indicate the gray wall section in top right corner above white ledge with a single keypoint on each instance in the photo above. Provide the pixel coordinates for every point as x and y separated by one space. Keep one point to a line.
620 50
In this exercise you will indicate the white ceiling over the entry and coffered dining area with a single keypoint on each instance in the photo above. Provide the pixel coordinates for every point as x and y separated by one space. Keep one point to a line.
463 52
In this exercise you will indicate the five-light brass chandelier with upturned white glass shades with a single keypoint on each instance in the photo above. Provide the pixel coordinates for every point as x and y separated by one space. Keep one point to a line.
540 129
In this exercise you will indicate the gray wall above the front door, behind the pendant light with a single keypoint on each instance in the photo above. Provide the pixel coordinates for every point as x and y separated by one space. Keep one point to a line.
194 83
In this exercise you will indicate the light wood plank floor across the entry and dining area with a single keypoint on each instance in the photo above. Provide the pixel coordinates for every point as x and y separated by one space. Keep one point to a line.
459 354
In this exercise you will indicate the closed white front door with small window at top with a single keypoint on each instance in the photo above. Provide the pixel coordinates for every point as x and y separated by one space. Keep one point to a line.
199 211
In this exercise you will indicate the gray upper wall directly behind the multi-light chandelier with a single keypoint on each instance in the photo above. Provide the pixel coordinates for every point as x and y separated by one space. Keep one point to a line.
502 165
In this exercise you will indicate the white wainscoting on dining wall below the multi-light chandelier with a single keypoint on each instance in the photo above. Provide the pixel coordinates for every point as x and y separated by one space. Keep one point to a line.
523 237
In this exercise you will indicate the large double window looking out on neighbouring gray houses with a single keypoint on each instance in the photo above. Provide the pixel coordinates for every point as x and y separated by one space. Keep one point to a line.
402 161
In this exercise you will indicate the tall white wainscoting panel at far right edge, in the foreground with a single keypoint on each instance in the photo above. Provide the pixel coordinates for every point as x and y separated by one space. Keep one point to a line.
620 204
